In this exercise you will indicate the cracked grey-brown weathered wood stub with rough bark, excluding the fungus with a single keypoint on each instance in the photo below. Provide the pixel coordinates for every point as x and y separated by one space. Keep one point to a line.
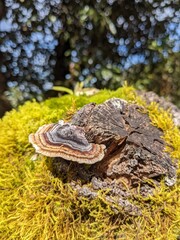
134 153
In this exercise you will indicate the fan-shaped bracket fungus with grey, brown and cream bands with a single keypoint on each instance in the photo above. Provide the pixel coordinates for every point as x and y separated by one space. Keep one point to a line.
66 141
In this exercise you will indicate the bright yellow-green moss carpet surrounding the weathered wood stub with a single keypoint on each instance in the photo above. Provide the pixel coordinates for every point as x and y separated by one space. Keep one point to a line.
36 206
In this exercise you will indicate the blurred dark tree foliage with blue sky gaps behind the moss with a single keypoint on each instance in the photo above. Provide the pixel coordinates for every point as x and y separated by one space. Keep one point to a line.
103 43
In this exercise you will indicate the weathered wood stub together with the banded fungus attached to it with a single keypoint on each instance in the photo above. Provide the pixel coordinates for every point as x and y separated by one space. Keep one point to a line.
118 142
